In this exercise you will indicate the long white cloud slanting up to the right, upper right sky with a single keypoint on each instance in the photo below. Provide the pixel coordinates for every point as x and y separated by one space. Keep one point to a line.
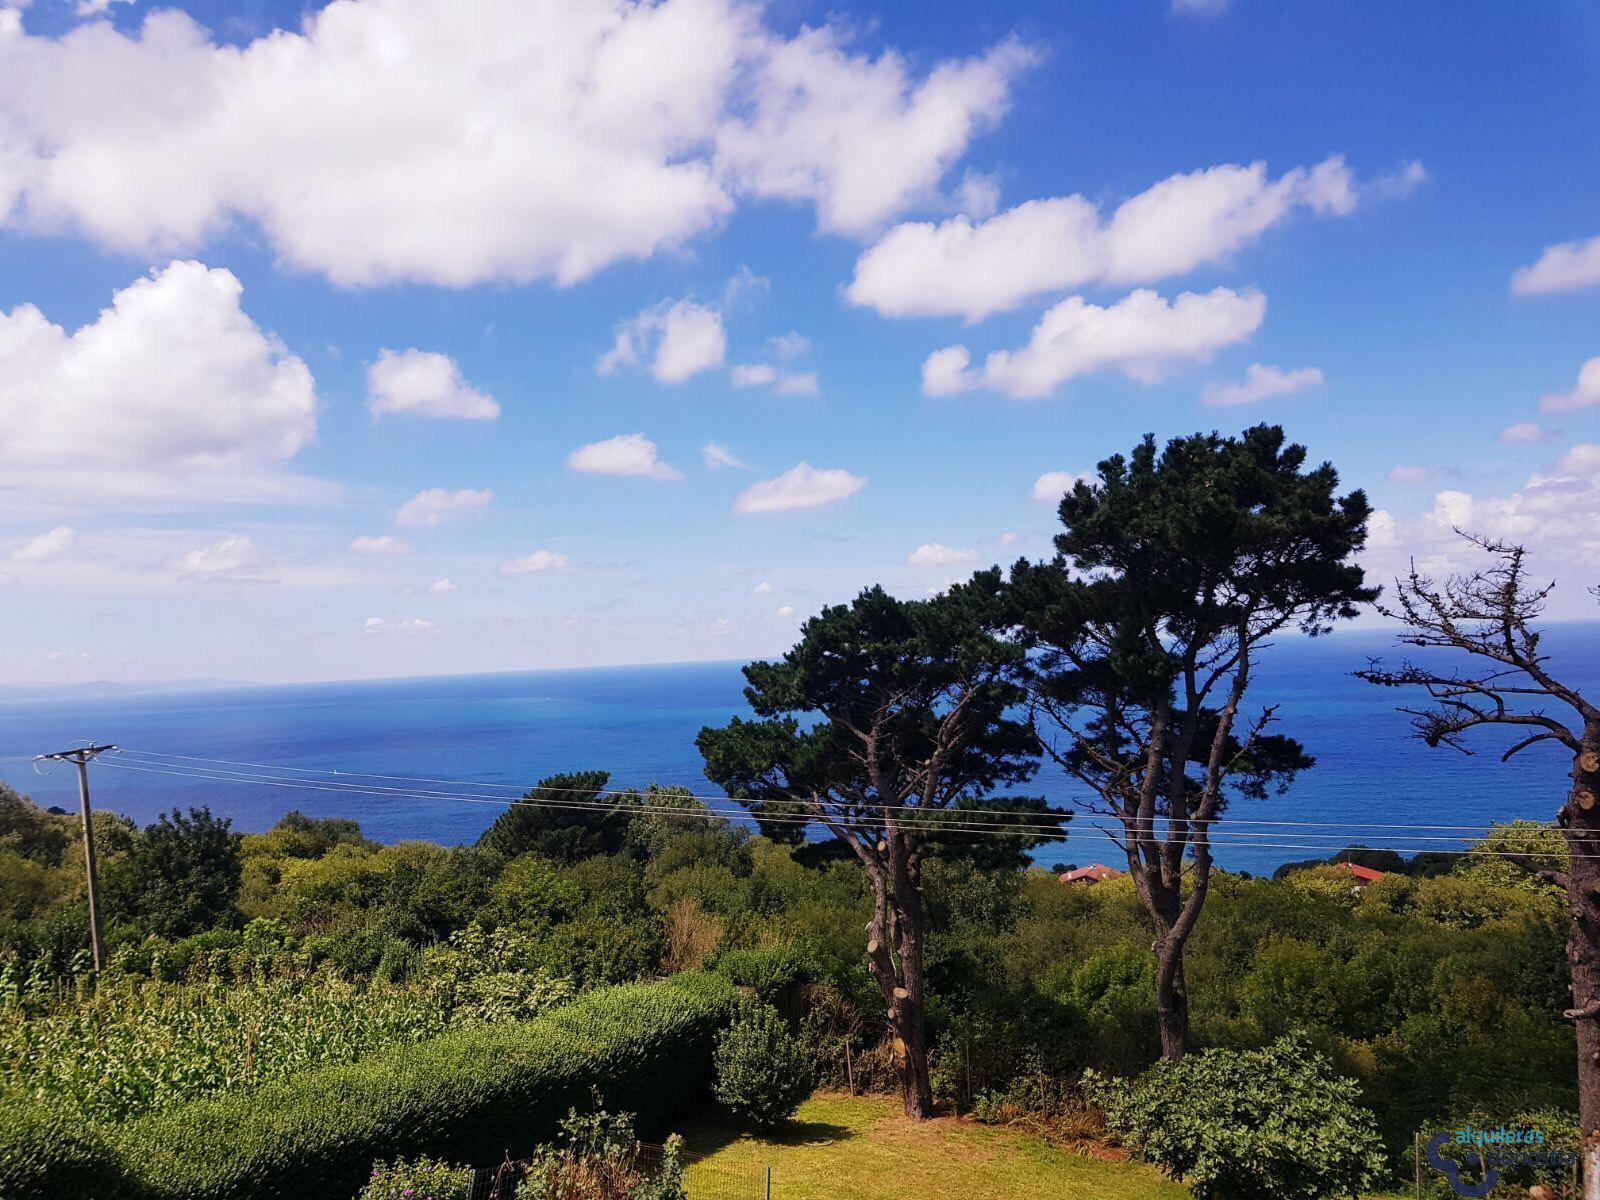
966 270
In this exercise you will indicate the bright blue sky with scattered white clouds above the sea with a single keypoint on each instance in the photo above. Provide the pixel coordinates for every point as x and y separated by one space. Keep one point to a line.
572 225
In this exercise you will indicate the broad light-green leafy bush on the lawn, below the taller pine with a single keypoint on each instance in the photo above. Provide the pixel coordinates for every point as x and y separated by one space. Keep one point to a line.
1271 1124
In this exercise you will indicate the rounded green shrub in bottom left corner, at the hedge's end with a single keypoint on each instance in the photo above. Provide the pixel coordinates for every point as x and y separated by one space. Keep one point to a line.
49 1154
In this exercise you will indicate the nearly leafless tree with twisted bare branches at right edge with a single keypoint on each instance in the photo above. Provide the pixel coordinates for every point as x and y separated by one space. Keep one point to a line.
1506 681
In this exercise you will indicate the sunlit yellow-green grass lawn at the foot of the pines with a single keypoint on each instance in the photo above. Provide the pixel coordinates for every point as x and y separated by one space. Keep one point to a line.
860 1148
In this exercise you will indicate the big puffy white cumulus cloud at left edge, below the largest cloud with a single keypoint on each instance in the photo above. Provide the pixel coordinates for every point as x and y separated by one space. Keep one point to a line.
170 393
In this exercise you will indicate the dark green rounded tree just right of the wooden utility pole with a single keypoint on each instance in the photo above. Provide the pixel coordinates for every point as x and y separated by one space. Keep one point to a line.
183 874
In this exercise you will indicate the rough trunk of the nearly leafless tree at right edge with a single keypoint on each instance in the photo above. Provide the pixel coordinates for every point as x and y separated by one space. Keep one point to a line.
1583 948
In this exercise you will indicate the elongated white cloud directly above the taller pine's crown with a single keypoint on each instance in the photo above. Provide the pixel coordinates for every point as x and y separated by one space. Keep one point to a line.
1142 335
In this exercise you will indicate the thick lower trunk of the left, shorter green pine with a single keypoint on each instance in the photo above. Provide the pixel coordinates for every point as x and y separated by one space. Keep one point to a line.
895 956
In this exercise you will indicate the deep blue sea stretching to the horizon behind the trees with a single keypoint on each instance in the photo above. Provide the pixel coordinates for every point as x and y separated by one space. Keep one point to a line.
639 724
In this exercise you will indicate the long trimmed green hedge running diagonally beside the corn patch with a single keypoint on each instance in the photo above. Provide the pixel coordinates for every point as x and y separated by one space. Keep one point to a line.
466 1097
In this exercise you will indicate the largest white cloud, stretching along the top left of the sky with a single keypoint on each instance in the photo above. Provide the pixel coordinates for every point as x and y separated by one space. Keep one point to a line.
393 140
